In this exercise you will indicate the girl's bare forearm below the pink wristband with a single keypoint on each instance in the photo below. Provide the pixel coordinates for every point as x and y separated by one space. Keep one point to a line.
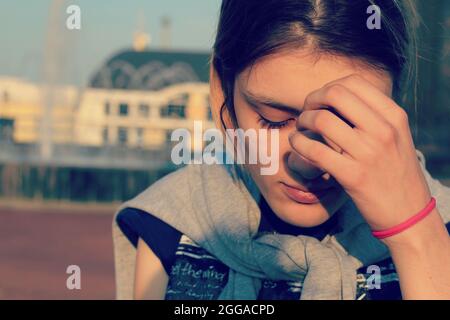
421 255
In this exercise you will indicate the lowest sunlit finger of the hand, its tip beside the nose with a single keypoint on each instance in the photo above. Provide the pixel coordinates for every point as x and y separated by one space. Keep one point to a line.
320 155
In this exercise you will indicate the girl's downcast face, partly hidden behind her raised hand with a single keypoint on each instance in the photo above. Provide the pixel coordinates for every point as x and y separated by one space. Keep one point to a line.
286 79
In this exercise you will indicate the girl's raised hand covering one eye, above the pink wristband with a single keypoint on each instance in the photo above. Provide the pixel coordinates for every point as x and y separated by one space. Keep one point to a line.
374 160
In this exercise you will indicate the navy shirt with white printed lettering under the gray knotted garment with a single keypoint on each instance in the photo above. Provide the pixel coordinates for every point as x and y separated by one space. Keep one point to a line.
195 274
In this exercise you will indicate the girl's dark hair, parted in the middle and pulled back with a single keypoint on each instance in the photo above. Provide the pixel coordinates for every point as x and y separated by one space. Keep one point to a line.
251 29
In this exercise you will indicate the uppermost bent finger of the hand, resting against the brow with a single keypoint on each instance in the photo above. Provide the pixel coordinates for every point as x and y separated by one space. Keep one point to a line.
347 105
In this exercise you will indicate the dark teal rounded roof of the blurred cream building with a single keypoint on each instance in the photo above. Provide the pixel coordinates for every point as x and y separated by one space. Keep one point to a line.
151 70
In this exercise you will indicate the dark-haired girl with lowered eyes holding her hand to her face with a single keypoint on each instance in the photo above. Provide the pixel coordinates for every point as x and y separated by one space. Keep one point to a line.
350 214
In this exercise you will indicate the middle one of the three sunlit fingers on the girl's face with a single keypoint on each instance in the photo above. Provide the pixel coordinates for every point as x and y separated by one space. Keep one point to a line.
333 129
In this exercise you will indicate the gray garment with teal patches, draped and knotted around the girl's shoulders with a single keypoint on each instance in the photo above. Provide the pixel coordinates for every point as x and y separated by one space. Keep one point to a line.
222 216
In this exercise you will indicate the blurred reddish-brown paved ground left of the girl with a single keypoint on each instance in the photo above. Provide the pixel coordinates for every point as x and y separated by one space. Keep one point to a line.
37 245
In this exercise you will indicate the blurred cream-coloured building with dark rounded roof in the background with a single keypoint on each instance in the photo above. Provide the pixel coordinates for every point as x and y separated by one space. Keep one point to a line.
136 99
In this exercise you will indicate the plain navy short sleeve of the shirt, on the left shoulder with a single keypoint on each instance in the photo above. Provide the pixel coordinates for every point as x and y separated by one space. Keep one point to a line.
162 238
